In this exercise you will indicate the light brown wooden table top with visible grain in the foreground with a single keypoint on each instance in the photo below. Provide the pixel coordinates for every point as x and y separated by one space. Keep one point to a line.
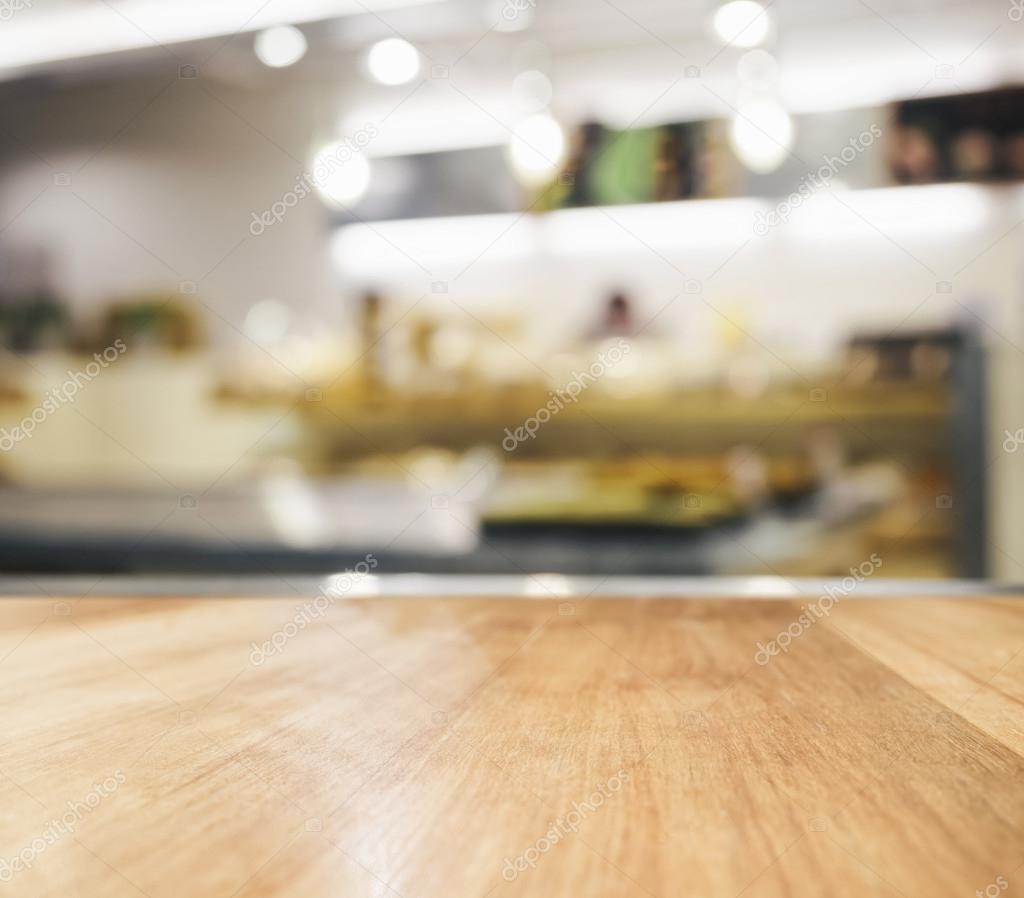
450 748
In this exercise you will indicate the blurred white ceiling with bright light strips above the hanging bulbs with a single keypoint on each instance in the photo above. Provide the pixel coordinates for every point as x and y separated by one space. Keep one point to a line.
605 56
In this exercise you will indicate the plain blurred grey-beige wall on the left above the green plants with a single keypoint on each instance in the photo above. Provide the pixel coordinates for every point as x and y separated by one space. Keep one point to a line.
164 178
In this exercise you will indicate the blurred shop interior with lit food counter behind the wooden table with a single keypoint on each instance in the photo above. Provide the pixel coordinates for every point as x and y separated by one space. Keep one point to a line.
352 250
